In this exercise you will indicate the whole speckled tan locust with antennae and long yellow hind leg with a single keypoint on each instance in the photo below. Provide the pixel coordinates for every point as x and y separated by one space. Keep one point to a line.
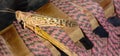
35 21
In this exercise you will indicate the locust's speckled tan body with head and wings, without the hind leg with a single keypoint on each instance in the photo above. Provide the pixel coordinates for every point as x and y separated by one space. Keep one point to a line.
42 21
